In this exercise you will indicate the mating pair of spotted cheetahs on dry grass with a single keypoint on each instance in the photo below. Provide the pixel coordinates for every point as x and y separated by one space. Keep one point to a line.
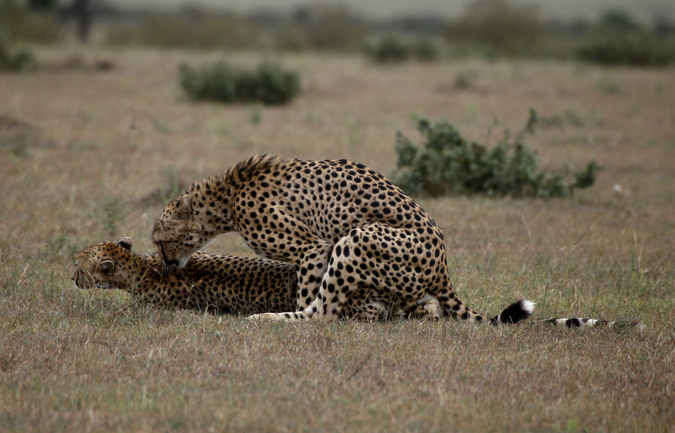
340 241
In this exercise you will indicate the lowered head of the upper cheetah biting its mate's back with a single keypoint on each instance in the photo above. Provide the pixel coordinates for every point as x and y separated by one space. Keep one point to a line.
178 234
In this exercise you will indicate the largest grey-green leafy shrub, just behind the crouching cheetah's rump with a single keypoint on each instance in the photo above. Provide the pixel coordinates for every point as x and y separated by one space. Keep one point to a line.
449 164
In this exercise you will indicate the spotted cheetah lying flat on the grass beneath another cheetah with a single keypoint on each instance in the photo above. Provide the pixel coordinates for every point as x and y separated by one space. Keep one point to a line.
224 284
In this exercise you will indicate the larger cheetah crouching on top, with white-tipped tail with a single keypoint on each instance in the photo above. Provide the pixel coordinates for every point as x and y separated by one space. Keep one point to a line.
343 225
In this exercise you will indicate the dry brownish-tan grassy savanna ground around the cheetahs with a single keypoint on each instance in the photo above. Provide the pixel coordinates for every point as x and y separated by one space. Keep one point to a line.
90 156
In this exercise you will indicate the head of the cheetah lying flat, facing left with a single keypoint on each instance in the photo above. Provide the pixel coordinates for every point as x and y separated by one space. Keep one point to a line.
104 265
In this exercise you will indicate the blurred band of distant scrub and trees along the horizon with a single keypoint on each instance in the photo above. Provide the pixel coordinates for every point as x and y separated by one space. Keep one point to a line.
605 31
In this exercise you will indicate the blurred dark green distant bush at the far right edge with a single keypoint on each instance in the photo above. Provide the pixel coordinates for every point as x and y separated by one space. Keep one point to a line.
636 48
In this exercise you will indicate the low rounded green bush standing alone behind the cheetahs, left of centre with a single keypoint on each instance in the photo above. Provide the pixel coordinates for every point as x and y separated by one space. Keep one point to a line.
269 83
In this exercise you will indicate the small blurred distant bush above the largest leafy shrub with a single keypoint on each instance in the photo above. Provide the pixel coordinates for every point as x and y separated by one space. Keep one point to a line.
395 50
